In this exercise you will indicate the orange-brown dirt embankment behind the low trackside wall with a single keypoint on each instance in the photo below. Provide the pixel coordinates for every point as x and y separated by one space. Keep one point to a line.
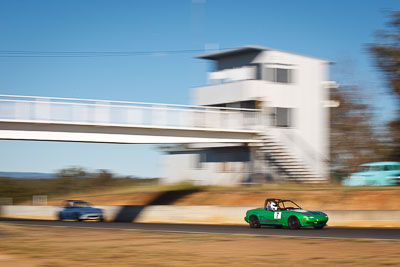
328 199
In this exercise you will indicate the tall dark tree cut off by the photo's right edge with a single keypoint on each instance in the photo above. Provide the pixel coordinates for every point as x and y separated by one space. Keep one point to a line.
386 54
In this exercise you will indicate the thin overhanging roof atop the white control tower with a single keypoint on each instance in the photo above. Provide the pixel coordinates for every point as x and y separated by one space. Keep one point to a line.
215 55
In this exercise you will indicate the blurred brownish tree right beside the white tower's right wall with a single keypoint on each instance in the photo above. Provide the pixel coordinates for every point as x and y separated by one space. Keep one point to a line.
353 138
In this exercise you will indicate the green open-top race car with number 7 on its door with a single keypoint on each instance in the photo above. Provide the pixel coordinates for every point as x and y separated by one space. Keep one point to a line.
280 213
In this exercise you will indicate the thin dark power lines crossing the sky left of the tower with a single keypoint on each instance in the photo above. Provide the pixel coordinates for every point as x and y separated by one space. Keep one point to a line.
31 53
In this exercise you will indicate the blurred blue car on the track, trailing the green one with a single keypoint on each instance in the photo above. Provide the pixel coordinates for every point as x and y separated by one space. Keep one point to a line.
79 210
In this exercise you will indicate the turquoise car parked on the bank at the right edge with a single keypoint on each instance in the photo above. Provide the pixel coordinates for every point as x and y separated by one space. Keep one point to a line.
375 173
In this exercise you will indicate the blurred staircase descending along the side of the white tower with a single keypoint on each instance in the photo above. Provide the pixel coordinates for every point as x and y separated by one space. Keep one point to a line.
285 163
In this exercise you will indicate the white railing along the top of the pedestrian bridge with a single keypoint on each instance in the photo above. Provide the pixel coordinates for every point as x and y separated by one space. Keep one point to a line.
124 113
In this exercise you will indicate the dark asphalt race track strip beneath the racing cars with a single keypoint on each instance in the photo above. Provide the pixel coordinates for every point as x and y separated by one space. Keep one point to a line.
328 232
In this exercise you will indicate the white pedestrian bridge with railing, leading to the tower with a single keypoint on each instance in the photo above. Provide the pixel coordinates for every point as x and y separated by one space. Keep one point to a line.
89 120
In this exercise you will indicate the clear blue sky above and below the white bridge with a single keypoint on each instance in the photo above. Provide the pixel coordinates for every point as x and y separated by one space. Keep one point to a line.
336 30
